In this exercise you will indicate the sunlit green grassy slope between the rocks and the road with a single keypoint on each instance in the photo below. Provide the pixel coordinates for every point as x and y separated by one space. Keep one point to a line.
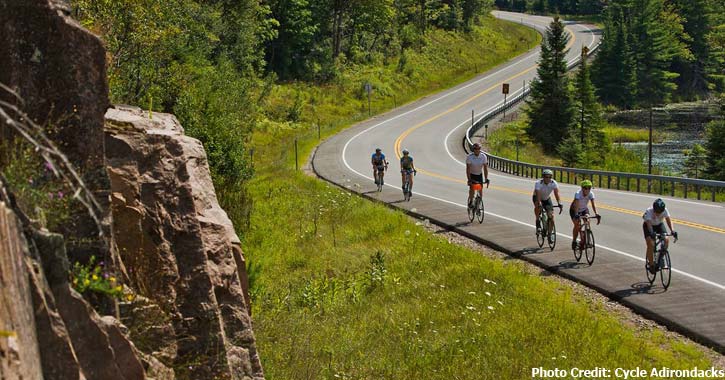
344 288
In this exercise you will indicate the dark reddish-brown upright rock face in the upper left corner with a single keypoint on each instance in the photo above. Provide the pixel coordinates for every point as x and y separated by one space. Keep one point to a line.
58 70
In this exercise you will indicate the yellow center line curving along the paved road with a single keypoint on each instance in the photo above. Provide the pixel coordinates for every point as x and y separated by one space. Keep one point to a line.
405 134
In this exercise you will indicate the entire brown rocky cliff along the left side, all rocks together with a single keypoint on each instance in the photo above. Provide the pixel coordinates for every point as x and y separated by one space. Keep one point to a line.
161 227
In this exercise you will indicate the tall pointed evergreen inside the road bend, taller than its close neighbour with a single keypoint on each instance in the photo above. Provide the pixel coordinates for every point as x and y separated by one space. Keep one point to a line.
550 110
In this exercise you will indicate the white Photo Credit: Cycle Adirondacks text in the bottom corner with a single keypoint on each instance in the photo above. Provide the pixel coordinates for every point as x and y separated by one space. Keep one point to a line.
626 373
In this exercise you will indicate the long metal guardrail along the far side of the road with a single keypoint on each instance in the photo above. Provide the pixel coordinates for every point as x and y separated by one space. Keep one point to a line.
619 180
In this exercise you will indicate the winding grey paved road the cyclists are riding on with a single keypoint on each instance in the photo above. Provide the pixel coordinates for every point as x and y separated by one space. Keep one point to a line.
432 129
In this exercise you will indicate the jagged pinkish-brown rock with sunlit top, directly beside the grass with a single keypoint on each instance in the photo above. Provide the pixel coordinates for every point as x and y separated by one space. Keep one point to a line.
180 247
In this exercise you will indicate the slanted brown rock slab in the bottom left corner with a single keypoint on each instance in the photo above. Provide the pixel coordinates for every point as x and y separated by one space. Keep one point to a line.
49 331
